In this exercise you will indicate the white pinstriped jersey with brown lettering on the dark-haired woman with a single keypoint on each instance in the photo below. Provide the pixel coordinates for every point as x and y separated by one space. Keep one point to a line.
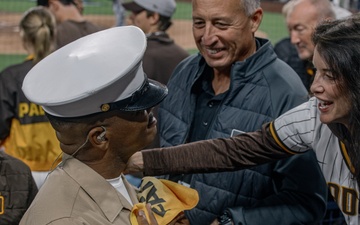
300 129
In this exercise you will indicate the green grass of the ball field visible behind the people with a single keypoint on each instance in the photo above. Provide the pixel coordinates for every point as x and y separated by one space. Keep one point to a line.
273 23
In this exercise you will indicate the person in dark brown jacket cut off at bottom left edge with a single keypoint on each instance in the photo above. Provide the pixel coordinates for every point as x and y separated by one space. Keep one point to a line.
17 189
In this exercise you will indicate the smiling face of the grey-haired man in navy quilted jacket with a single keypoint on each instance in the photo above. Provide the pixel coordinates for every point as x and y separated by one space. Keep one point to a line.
223 32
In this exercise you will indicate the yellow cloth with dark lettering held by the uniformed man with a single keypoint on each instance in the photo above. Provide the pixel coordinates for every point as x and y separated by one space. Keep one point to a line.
167 199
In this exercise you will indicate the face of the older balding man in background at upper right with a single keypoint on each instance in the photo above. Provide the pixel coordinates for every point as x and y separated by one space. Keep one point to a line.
301 22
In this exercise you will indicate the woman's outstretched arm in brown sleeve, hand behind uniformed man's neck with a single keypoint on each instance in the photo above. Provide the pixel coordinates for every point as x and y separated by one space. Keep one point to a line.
213 155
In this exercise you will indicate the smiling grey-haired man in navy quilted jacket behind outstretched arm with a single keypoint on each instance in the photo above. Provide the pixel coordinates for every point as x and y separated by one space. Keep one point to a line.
234 85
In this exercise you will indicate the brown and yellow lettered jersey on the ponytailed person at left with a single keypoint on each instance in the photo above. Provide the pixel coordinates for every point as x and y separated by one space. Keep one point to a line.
25 131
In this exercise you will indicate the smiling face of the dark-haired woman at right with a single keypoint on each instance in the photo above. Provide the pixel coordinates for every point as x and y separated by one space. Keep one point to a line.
334 104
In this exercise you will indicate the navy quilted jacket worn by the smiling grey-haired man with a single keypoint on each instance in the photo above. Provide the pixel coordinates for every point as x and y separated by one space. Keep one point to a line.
291 191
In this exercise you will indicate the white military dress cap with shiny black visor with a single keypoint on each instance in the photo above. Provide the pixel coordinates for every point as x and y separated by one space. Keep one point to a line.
96 73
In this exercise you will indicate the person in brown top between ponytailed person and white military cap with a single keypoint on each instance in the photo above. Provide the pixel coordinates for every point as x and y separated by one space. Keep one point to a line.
71 24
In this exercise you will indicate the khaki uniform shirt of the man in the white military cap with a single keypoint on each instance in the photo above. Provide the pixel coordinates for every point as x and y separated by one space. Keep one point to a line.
75 194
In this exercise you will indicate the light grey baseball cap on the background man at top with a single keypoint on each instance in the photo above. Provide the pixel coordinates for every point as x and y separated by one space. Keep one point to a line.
163 7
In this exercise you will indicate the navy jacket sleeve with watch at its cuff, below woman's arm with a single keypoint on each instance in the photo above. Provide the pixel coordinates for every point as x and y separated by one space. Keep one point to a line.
296 202
